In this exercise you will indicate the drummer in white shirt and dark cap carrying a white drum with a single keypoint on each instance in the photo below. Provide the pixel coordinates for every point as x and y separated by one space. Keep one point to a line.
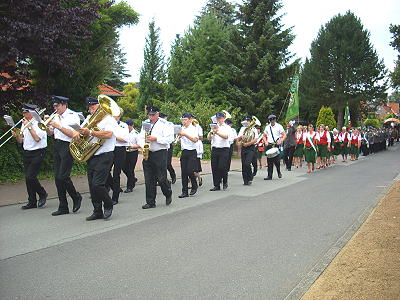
274 135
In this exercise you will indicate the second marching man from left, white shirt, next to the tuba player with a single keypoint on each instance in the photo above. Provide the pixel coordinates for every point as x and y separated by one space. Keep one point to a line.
60 127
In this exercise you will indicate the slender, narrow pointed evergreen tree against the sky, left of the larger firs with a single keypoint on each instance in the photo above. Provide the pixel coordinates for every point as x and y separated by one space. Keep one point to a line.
153 73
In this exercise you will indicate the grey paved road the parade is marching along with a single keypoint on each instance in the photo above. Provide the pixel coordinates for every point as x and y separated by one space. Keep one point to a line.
267 241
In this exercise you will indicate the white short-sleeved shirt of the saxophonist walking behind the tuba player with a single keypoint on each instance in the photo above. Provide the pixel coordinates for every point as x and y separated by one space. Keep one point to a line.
164 133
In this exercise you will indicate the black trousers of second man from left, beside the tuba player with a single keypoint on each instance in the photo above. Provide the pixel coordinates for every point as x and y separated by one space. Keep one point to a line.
63 162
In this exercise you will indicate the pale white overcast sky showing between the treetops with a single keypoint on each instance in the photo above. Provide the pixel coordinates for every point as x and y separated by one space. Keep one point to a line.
175 16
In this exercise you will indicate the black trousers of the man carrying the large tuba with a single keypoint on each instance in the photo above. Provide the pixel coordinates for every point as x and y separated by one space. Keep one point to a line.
98 168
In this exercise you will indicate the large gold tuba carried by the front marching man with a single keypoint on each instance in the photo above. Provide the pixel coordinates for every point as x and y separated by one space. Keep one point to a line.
85 147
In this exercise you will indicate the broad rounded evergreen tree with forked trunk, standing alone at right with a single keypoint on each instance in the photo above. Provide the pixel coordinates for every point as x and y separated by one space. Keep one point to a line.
343 68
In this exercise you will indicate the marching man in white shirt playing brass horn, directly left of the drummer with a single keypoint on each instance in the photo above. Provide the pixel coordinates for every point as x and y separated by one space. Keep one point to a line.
247 137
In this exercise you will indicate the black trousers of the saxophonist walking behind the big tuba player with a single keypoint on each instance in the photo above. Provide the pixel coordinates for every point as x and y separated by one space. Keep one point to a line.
155 170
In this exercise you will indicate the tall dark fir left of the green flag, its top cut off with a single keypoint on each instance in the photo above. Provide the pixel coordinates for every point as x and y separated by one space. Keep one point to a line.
263 46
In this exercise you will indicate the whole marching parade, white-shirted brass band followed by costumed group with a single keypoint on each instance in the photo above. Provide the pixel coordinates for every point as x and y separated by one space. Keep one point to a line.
110 146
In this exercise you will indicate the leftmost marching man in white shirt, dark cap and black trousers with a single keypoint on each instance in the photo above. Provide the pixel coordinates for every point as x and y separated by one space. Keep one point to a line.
34 142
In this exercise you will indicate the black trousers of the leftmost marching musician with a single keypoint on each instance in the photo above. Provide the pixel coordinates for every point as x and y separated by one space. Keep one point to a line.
32 162
